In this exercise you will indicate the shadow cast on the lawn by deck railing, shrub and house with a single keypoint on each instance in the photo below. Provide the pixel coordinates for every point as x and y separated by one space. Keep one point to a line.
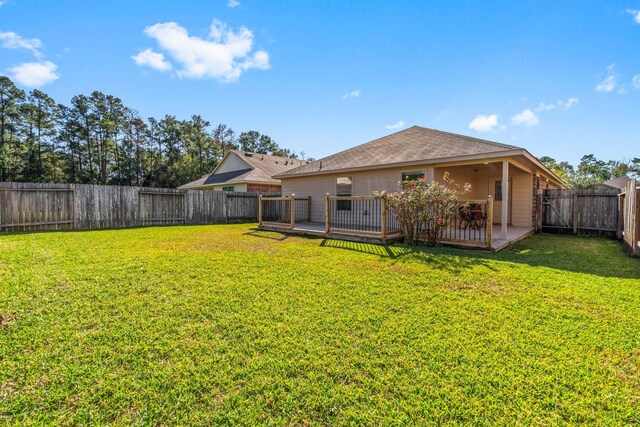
586 255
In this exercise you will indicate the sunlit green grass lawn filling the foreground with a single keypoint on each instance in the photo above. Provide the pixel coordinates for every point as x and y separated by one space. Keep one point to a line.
228 325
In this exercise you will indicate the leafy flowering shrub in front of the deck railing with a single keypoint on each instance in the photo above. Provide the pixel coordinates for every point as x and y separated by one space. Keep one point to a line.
424 209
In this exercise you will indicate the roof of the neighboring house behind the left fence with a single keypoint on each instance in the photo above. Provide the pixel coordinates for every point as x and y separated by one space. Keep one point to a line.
256 169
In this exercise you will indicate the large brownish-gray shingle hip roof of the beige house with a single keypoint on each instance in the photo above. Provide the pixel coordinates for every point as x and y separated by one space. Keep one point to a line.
410 145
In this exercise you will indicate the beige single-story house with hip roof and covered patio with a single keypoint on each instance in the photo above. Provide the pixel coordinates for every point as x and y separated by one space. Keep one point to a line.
505 172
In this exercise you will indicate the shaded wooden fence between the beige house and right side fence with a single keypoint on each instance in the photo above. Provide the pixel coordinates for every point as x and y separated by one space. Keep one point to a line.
579 211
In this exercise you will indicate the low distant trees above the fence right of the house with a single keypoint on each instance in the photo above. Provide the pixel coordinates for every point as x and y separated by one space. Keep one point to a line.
592 171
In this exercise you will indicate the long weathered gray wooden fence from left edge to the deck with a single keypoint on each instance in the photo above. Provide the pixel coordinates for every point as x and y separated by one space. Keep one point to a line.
27 206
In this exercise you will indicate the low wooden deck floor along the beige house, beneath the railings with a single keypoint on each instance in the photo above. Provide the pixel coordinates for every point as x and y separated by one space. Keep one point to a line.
317 229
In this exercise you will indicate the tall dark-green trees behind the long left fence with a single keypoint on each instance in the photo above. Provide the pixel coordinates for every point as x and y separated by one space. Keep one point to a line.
96 139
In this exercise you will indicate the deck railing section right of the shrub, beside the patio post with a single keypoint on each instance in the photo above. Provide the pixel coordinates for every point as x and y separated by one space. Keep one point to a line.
471 224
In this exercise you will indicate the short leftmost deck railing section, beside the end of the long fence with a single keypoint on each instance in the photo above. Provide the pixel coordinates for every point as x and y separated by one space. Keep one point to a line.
284 211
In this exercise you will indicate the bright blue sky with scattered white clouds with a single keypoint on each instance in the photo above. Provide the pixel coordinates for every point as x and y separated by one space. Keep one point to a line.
558 78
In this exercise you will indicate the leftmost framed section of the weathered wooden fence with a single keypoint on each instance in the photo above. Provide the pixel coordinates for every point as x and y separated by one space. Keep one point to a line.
23 209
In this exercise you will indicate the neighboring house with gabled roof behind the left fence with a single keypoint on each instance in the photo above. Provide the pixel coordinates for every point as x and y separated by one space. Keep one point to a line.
245 172
